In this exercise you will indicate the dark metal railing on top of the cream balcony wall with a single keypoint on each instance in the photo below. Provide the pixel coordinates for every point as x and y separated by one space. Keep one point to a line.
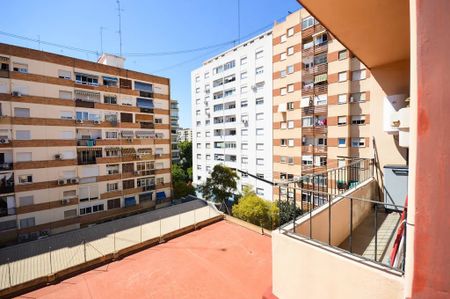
327 205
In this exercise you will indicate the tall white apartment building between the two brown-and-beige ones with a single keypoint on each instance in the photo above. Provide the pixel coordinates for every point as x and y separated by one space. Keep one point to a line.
232 113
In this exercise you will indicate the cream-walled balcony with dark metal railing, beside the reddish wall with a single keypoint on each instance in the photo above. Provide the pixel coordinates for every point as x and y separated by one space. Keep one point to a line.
340 224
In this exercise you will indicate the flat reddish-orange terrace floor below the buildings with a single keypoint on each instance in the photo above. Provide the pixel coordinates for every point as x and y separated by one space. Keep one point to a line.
222 260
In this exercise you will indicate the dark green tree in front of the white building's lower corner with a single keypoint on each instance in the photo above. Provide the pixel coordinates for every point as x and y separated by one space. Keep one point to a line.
220 186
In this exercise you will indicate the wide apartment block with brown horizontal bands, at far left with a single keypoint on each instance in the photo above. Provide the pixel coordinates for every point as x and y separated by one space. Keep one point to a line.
81 142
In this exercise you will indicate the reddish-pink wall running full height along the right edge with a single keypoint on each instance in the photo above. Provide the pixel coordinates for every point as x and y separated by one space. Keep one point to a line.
432 185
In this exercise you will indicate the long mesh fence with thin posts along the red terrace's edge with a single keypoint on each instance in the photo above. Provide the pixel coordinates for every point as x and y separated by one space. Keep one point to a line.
40 258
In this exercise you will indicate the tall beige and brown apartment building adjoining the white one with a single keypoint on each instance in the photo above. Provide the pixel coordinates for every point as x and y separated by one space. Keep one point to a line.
322 108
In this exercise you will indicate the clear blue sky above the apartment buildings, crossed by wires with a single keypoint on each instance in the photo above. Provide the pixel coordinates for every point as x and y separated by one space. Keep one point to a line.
147 26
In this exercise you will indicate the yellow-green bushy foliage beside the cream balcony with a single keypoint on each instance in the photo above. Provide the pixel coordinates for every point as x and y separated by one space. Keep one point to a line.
254 209
